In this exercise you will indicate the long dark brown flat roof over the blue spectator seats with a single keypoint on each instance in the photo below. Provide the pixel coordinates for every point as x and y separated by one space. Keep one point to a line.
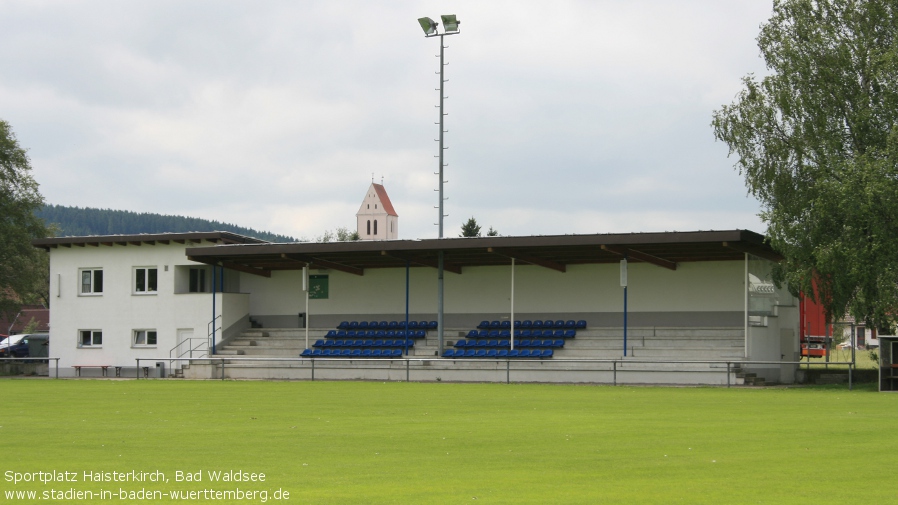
665 249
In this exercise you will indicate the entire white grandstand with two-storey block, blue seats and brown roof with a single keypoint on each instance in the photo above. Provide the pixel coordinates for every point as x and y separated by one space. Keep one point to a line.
541 308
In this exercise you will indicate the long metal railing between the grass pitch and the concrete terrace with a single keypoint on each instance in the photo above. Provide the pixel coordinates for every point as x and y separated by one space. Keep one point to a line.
730 365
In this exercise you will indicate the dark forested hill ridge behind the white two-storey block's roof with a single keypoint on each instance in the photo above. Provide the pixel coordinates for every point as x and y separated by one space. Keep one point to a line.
88 221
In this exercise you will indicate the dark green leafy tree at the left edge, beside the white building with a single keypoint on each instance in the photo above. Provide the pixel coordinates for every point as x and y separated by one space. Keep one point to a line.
21 265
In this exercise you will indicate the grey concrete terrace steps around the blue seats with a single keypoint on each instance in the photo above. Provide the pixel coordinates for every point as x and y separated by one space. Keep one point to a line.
661 344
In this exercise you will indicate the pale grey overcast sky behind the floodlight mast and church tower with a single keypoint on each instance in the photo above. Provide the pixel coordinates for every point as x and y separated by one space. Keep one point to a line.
585 116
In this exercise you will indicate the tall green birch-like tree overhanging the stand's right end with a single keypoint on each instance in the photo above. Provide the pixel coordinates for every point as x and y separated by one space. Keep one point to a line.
817 142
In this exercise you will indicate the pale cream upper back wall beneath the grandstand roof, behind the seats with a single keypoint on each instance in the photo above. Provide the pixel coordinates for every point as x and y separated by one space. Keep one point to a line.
699 286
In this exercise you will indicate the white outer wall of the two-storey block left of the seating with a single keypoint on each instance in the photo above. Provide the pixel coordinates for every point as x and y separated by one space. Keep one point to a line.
117 312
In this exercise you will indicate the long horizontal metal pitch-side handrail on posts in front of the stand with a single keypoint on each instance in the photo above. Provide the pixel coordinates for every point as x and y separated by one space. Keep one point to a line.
508 361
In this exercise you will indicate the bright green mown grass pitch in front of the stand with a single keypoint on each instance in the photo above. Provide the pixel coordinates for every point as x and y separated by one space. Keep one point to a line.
363 442
